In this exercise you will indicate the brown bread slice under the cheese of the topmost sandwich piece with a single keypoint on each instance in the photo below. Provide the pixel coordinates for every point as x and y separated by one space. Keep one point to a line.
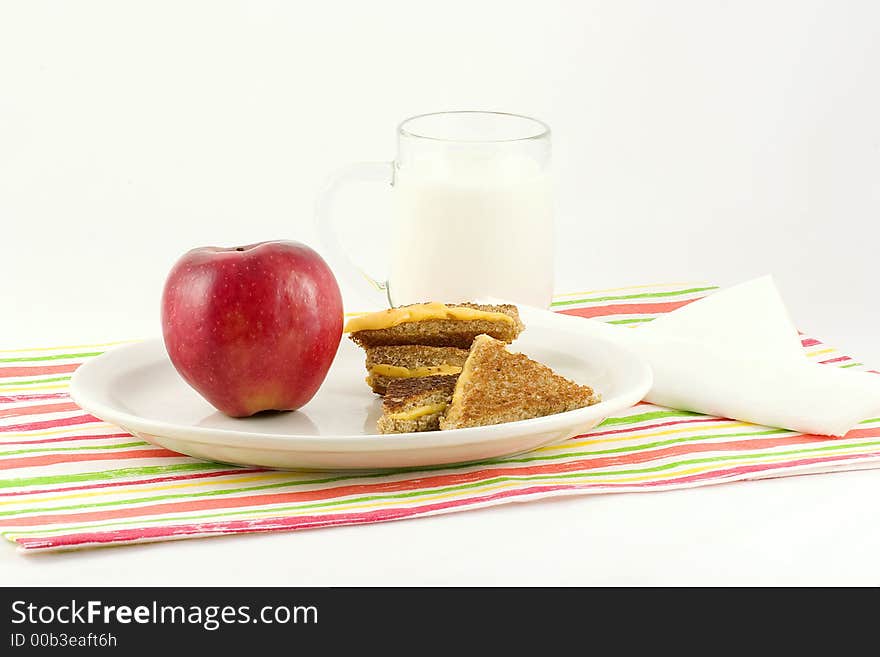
445 332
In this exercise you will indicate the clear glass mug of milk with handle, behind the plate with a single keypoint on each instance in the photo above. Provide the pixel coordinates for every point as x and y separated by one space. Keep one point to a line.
472 211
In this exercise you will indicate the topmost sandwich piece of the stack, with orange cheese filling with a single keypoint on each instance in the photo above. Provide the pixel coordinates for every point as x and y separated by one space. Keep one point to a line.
435 325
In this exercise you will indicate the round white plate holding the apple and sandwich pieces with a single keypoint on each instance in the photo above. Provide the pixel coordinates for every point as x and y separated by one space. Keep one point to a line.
137 388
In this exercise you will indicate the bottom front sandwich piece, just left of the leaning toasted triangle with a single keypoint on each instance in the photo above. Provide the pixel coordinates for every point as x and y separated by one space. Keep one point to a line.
415 404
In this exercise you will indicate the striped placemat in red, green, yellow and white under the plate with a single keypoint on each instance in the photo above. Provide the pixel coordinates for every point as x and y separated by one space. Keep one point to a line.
69 480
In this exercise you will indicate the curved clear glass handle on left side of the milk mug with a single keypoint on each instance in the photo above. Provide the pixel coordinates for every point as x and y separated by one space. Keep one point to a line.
370 288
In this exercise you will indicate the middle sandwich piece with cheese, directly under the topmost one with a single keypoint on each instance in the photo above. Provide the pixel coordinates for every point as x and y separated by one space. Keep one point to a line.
389 363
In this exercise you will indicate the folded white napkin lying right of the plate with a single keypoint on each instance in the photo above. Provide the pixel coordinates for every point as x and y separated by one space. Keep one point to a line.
737 354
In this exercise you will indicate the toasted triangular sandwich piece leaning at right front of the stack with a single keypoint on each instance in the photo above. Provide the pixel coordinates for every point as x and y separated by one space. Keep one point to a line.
497 386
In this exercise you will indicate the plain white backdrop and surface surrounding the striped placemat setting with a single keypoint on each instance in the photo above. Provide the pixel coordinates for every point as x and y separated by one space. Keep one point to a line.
701 140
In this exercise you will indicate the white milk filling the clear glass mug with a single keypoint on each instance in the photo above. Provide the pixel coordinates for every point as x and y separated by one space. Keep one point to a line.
466 228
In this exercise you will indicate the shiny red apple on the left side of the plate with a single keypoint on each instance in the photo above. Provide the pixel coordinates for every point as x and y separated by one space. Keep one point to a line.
252 328
